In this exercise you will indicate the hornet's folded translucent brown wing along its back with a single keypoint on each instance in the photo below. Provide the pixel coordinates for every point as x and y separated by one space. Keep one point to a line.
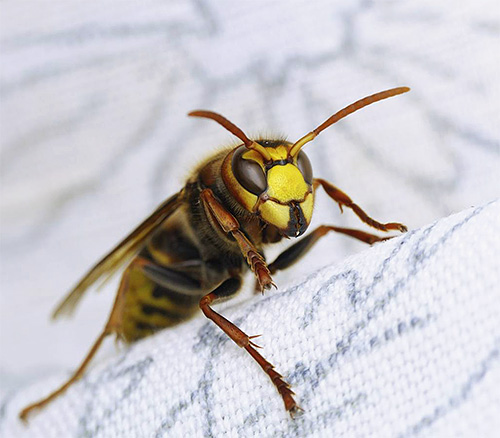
119 255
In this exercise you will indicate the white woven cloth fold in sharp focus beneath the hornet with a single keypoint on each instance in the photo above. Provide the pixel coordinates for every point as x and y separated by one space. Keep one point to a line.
400 340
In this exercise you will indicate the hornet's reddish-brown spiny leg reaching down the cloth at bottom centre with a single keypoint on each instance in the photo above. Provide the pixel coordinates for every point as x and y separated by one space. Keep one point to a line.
229 287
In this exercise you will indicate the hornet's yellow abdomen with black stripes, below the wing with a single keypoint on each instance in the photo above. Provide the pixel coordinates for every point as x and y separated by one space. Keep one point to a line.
153 300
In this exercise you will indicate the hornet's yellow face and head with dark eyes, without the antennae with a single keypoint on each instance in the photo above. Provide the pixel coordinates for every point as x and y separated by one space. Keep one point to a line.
277 187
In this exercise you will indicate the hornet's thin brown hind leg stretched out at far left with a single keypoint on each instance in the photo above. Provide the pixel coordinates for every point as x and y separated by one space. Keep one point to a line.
112 326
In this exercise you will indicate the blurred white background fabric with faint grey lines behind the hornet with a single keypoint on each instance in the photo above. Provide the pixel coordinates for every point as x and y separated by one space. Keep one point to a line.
94 132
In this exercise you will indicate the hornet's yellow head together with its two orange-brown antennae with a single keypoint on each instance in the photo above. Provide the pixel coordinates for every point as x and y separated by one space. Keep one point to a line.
273 178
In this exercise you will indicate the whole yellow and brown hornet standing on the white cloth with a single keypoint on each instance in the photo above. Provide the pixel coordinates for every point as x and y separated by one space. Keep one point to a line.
194 249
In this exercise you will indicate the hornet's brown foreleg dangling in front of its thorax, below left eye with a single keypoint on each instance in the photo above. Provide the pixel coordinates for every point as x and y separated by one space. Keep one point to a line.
231 225
